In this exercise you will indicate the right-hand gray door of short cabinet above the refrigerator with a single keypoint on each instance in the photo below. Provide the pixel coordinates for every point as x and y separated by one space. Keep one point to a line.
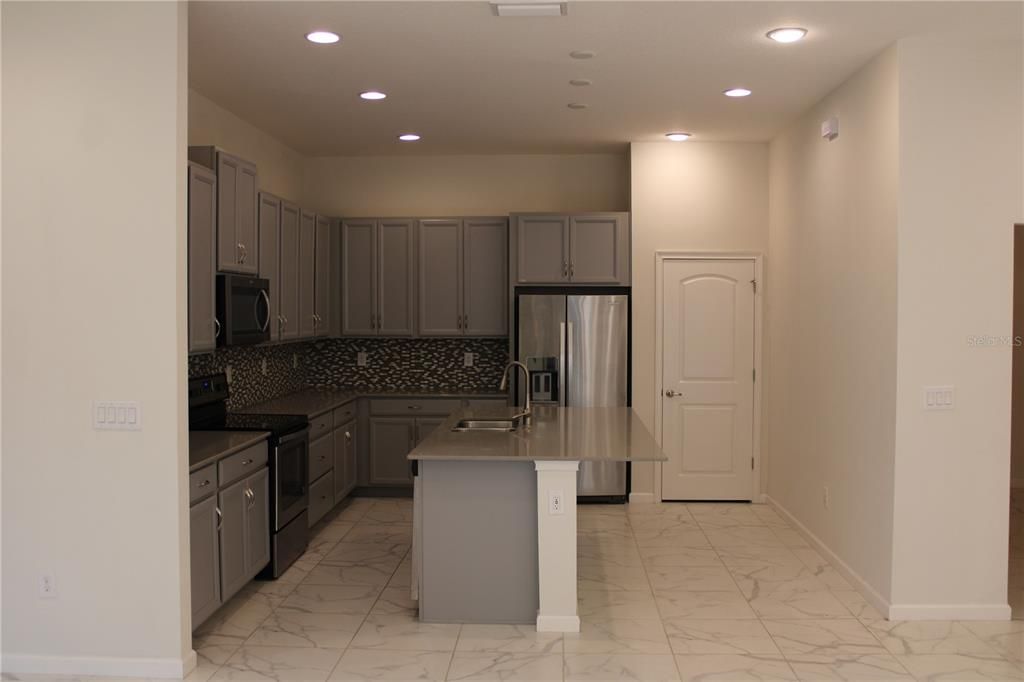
599 252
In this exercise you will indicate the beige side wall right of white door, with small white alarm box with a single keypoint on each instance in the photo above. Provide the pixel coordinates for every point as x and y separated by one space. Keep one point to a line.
831 390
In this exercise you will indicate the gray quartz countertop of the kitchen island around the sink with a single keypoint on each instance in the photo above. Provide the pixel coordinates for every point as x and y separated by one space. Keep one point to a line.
603 435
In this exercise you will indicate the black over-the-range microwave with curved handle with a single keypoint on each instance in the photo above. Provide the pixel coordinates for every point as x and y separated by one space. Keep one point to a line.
243 310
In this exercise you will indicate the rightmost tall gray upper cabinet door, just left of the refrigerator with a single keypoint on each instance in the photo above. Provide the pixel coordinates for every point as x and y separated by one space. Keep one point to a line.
486 267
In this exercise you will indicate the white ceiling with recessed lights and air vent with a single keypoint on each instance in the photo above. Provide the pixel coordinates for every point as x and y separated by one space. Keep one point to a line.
474 83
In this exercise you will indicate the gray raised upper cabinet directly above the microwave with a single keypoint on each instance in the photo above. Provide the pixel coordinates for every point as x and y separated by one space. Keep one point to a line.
238 249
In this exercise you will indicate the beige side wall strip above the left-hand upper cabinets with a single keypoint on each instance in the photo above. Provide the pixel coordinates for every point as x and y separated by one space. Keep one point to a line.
280 167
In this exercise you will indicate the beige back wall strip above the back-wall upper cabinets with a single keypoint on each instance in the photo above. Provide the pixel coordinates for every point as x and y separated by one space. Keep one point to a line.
466 185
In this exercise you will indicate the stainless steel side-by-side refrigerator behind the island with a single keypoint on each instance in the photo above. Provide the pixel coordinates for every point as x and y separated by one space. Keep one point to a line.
577 349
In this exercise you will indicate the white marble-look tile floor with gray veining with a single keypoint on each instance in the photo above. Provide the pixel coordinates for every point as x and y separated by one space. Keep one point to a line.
667 592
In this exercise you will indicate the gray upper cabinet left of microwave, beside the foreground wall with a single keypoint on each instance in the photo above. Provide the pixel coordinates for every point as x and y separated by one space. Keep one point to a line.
203 326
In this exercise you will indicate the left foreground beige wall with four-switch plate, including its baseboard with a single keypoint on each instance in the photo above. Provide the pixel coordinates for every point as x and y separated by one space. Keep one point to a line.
94 309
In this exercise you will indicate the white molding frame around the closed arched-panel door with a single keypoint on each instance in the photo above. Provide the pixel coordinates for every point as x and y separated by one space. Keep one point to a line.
757 259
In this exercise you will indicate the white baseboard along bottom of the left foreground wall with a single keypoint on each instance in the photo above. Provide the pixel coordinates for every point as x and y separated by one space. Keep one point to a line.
175 669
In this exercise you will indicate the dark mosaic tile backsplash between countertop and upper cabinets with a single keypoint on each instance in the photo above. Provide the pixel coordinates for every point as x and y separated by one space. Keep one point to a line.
428 365
